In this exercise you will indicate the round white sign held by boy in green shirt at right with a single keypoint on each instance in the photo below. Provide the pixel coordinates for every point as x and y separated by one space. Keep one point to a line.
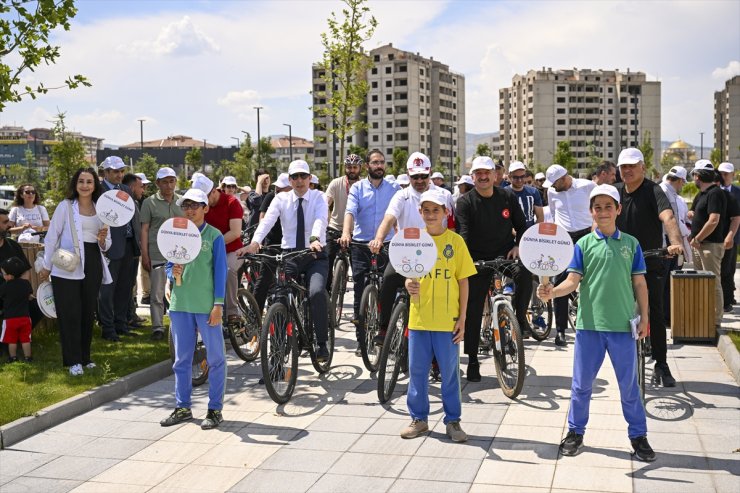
546 249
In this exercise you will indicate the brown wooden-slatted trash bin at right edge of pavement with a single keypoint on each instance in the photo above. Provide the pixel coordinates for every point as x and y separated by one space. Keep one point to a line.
692 305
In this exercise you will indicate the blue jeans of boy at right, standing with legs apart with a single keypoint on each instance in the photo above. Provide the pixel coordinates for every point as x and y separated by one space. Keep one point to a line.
591 347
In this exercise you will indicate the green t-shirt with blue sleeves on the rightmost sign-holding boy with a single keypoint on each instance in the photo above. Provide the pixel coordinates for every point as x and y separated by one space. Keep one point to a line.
607 264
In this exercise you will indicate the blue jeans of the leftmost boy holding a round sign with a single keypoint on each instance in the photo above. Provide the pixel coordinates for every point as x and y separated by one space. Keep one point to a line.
184 336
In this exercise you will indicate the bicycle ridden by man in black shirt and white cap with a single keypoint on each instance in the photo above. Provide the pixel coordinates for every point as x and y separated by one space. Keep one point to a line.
500 326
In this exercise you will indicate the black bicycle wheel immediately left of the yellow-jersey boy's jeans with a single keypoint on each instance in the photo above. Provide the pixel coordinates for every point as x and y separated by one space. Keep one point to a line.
394 352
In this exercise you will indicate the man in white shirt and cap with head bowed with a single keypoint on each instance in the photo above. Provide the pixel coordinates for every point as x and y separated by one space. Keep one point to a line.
568 198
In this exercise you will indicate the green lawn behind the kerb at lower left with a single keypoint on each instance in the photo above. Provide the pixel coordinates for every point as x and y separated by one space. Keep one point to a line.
26 388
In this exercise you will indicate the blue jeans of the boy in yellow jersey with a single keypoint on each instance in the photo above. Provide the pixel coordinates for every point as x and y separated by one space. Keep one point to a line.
423 346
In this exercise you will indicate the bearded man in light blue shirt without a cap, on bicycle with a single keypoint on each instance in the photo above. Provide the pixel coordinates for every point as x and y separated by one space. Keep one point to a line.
366 204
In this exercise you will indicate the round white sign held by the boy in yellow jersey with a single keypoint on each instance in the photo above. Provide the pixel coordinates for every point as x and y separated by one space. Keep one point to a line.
412 252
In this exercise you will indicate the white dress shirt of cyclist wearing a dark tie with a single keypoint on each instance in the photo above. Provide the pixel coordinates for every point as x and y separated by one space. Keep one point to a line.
285 207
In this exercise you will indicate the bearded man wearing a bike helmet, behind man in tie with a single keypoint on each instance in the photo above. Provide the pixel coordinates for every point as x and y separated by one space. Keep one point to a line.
336 196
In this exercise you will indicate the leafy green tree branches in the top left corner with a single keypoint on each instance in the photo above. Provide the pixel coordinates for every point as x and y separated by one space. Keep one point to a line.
25 28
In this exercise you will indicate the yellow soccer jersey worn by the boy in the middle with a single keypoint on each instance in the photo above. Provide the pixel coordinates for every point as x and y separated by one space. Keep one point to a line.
439 300
